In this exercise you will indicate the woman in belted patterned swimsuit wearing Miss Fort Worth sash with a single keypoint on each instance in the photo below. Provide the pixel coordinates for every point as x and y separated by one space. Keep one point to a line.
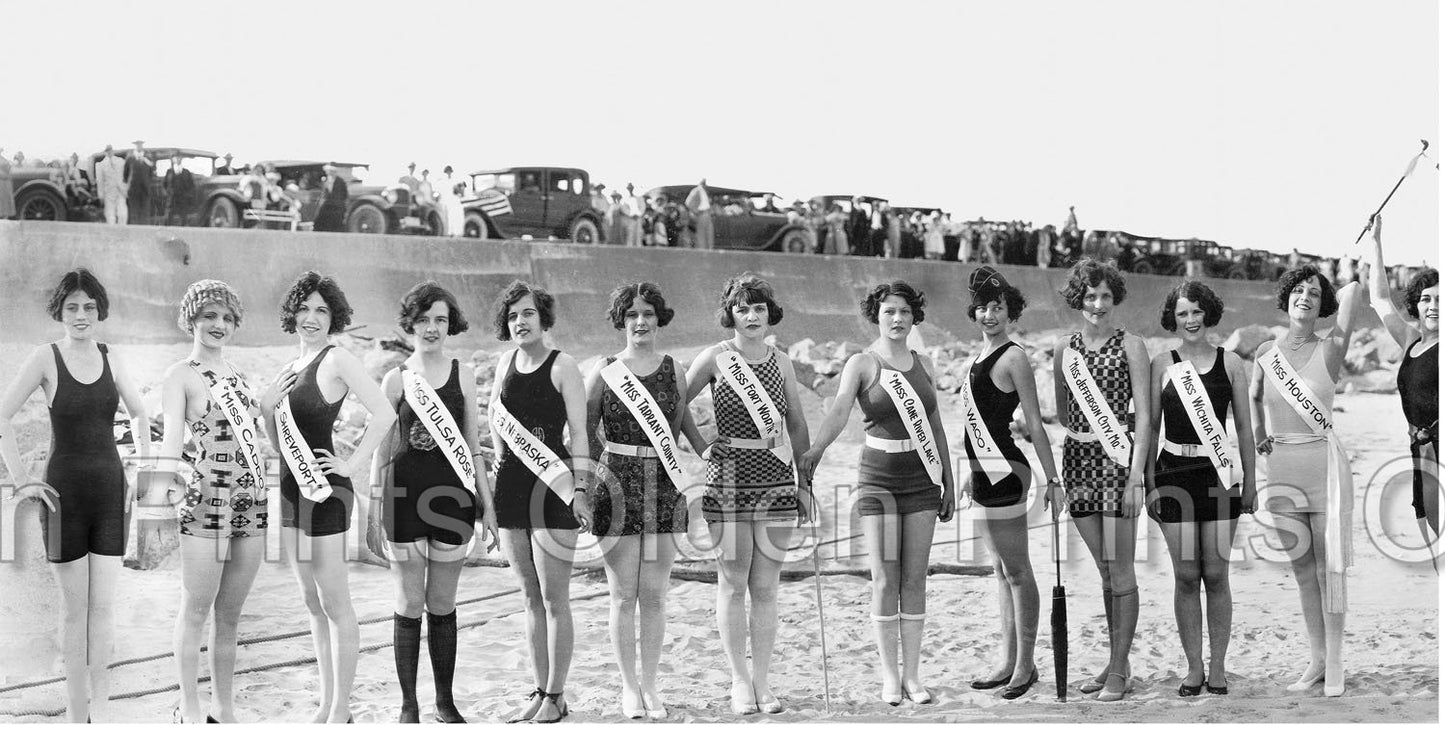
754 501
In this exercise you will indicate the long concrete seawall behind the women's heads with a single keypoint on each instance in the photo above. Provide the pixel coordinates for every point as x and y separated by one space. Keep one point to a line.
147 270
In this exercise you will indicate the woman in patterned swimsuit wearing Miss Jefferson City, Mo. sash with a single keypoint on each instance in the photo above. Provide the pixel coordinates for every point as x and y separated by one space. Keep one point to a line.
1106 497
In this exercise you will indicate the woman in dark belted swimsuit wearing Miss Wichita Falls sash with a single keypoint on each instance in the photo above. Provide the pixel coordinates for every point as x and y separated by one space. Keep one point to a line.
1199 491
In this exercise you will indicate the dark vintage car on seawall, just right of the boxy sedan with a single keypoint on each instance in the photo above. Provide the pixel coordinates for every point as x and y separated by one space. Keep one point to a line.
741 221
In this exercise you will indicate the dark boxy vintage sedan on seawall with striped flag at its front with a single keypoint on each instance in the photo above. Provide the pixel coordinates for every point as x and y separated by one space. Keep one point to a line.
541 202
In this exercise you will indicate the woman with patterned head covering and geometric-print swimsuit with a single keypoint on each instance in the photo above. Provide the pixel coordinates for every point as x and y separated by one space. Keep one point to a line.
223 514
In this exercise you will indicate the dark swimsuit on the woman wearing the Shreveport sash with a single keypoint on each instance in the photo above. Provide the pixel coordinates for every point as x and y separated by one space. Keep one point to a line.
316 419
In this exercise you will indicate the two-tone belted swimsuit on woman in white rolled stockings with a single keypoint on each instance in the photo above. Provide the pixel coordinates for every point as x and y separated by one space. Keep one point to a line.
894 482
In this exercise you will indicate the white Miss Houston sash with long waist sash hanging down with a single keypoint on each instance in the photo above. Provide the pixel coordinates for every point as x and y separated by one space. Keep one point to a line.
1295 391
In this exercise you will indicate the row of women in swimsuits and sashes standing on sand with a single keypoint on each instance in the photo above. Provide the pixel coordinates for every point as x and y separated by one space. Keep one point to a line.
632 407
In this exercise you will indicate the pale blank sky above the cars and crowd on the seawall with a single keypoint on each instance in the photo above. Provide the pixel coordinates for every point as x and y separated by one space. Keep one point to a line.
1255 124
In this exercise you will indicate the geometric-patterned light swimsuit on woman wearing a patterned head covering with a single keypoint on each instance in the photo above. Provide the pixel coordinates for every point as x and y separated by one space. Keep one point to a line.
223 500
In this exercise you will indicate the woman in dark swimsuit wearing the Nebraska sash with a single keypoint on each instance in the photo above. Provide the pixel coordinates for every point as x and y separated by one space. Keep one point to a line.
540 391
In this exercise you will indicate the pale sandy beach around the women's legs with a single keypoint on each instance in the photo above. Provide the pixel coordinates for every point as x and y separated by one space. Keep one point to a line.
1392 641
